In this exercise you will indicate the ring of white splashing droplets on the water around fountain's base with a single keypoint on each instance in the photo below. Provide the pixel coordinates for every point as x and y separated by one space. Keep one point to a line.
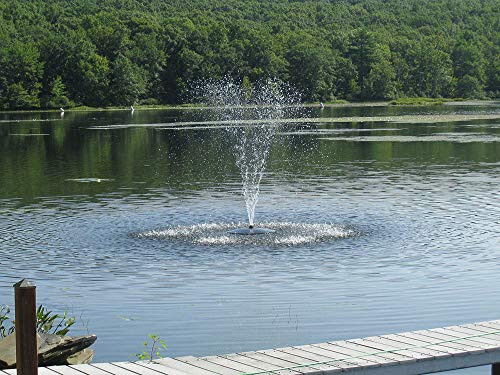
286 234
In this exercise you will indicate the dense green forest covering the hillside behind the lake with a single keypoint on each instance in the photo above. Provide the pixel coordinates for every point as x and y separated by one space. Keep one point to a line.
99 53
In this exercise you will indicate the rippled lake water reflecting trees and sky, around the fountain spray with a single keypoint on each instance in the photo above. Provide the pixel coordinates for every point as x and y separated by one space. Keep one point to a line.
387 220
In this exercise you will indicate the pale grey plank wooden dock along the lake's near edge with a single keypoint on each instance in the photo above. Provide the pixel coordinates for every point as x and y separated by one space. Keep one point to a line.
408 353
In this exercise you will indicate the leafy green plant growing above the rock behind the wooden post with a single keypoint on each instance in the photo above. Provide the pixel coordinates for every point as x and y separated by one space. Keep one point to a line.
46 321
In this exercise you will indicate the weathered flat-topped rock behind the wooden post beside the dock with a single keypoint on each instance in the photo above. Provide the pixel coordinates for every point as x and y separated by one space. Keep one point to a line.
52 350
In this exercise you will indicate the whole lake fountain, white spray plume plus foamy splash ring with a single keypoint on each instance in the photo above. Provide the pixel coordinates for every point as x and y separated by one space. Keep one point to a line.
252 118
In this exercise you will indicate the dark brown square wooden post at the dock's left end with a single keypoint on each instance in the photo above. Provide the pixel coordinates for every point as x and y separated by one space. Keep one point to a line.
26 341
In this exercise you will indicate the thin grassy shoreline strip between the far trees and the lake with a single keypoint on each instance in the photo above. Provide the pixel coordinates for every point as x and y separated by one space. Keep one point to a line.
306 105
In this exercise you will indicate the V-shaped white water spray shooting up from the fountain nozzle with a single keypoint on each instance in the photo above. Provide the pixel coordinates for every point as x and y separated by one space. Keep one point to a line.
265 103
